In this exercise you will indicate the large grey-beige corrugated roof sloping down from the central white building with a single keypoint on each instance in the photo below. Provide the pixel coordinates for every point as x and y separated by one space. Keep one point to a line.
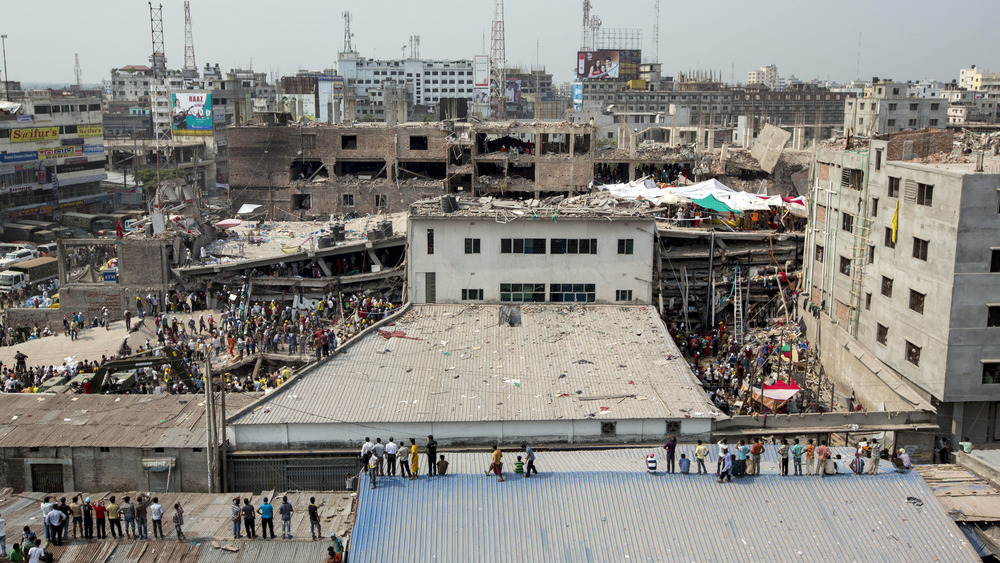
458 364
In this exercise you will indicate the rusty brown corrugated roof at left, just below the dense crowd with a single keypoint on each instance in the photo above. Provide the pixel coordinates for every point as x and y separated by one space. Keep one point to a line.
129 421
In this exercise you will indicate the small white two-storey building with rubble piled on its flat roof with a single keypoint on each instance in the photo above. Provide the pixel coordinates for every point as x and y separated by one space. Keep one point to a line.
488 253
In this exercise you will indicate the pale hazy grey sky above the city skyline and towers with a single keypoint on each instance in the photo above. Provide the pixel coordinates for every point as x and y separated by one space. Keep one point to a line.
904 40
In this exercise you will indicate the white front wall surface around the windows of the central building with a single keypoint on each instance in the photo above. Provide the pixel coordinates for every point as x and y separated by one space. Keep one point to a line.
455 270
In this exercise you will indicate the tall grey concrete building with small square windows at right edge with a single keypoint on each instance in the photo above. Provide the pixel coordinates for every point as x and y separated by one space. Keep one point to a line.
903 266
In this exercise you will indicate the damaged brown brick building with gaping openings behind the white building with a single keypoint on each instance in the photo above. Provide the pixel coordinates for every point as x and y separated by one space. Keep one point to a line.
297 172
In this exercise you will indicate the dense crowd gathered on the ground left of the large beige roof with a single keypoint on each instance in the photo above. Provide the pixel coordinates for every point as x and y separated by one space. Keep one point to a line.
244 327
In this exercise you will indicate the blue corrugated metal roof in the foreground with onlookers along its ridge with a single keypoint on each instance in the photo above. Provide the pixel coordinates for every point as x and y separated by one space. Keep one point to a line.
603 506
